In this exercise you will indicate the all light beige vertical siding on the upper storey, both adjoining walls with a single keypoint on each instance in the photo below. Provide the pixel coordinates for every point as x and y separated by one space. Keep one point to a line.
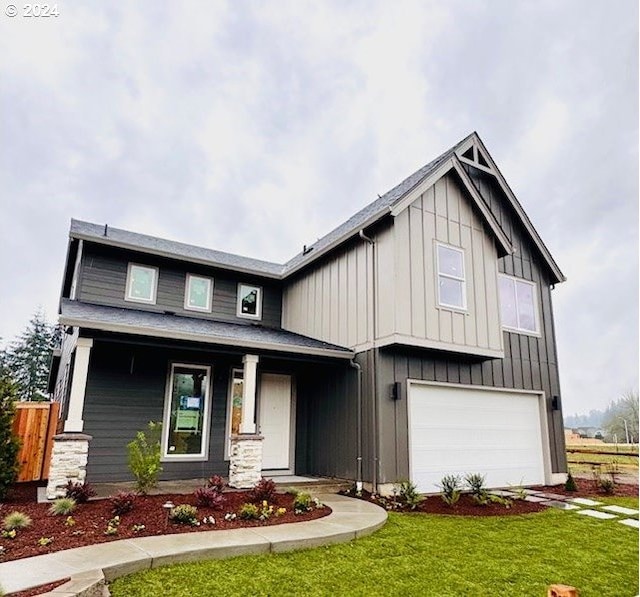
333 300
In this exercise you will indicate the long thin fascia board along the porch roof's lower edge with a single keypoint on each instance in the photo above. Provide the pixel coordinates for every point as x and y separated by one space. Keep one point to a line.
175 335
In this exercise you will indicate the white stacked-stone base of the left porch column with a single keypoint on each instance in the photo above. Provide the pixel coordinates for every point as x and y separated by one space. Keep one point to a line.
68 462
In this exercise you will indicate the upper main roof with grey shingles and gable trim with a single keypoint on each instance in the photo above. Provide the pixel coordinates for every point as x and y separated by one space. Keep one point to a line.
391 202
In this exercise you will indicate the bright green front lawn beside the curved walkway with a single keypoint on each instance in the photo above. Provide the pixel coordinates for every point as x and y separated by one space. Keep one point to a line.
418 554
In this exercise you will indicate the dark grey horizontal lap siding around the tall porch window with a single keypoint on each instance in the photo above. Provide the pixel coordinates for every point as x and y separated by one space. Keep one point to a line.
122 398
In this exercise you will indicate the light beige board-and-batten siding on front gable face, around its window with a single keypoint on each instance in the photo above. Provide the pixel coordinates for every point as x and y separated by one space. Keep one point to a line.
408 276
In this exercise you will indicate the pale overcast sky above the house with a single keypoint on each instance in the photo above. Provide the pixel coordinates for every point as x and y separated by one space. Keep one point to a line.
256 127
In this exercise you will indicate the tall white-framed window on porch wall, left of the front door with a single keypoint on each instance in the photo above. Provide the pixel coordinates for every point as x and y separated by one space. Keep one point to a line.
186 413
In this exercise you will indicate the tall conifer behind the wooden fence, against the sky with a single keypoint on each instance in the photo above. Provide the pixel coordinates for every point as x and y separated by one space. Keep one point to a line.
29 357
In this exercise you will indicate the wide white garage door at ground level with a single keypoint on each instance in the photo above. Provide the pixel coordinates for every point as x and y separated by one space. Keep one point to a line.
460 430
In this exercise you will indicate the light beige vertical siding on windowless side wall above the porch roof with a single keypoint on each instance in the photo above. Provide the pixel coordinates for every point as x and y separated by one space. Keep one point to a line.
332 301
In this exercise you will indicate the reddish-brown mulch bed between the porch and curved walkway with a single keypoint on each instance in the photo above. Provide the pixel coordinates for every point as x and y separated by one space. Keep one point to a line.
91 520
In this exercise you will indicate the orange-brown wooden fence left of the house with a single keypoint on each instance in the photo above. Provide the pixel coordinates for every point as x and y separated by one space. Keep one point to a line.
35 424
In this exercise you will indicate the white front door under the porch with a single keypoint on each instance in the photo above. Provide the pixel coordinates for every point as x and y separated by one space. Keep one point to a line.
275 420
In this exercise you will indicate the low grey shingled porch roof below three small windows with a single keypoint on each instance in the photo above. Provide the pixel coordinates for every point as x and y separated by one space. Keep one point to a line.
160 325
